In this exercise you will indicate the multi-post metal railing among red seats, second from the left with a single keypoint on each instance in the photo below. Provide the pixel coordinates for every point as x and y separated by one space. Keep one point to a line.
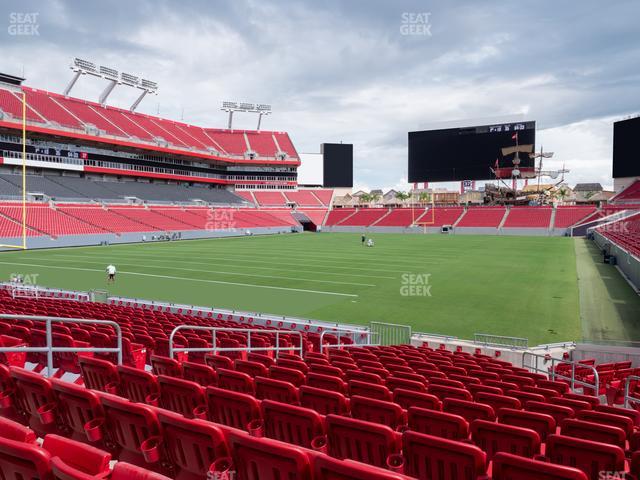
248 331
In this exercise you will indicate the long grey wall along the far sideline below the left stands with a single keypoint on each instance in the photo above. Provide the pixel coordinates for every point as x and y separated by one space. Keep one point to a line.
88 240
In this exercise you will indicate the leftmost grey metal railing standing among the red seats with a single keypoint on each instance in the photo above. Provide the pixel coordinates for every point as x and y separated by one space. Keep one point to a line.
50 349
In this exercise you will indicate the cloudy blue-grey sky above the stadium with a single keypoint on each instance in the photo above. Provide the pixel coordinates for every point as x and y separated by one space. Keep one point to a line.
353 70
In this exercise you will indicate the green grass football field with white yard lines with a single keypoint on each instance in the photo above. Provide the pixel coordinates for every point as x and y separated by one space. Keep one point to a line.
455 285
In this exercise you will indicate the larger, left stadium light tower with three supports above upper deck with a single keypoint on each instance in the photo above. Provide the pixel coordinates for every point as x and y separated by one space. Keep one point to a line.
113 77
